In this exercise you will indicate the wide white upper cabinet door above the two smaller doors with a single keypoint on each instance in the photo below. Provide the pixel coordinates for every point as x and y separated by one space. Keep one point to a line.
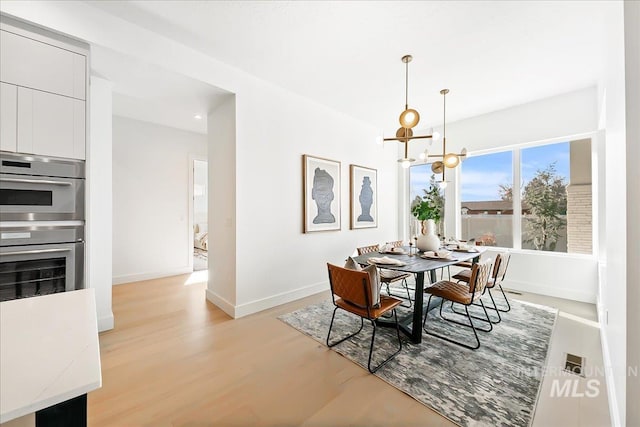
37 65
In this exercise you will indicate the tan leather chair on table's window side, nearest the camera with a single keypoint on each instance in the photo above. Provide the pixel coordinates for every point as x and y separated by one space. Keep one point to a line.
464 294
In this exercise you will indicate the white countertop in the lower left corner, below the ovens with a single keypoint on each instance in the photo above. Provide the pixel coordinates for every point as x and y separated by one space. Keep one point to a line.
49 351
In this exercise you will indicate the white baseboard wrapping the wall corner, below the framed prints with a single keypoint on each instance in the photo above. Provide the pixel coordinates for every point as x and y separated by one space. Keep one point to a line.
237 311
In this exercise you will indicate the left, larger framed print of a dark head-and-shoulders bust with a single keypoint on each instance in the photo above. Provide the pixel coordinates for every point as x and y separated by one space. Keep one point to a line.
321 204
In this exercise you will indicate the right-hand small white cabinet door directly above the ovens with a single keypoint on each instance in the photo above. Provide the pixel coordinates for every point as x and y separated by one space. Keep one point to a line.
50 125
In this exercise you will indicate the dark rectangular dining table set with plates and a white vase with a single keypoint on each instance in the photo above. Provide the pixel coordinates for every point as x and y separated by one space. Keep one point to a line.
418 263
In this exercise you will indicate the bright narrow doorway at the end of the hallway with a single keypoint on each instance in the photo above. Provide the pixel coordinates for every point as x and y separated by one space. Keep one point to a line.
199 211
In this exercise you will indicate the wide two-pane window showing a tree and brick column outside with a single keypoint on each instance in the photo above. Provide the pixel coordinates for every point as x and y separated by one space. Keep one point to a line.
555 198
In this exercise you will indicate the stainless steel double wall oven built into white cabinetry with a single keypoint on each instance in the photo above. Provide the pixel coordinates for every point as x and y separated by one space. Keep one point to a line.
42 207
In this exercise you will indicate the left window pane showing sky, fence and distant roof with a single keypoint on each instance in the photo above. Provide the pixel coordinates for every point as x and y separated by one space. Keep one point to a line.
486 203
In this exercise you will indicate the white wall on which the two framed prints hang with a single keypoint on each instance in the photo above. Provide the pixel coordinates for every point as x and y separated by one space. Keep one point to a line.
269 184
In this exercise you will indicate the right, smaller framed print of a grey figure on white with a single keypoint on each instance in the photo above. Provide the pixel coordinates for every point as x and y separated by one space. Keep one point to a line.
363 196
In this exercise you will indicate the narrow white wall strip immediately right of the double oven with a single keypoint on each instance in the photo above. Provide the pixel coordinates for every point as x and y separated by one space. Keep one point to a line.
99 199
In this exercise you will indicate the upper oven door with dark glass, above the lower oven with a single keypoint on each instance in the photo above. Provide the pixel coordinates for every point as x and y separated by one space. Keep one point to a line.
35 198
